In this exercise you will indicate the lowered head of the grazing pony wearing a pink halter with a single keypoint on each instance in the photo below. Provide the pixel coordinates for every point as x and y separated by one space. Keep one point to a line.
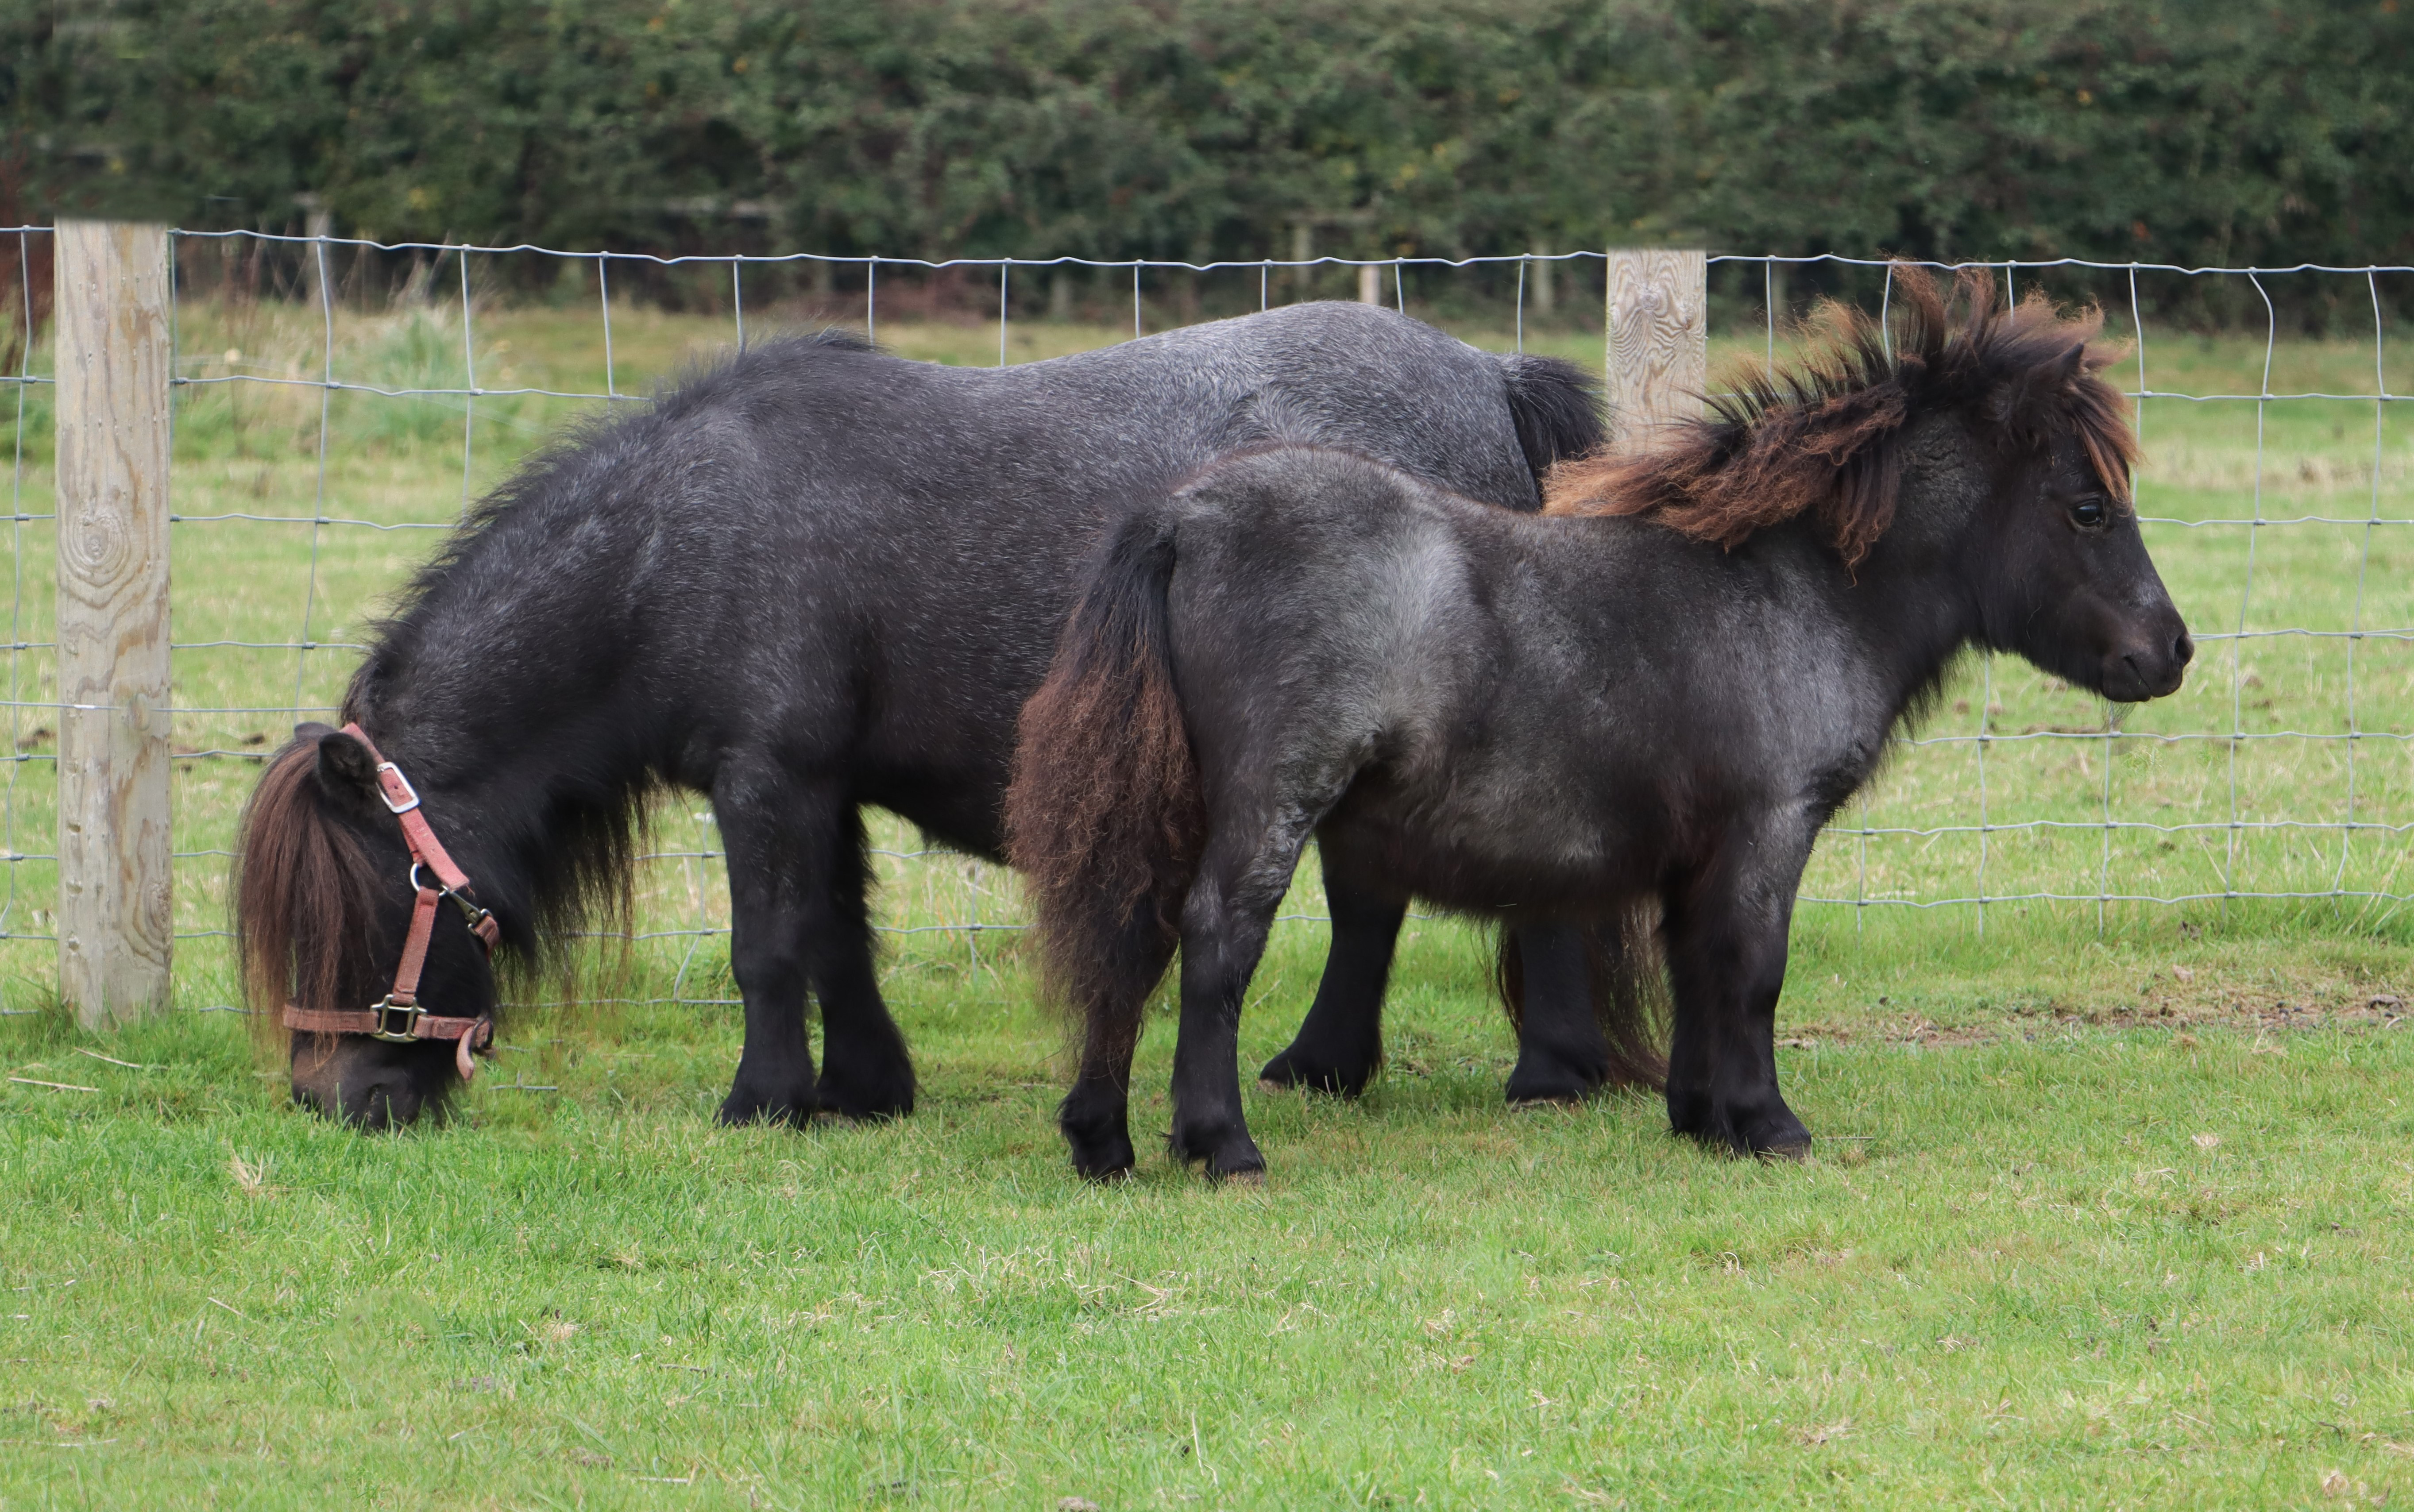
322 905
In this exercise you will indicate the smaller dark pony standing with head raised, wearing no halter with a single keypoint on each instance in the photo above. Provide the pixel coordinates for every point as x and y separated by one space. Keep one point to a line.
1631 714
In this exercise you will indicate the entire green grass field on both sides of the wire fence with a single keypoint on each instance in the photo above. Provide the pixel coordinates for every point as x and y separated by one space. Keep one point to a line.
2111 1209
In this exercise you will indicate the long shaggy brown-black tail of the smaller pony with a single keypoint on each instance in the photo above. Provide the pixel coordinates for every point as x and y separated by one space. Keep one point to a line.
1104 815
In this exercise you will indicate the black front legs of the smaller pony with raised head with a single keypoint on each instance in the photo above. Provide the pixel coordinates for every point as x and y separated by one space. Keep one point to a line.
1727 965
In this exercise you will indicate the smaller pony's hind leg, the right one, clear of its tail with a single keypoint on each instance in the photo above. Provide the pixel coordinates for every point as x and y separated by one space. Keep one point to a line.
1225 924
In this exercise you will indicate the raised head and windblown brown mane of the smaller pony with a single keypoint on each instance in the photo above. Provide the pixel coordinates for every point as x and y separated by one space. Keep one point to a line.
1966 438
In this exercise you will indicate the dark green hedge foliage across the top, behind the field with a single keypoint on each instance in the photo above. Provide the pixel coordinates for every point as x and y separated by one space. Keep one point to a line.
2196 134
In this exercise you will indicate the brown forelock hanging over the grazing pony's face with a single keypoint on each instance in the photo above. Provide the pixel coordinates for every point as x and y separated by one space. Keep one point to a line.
305 897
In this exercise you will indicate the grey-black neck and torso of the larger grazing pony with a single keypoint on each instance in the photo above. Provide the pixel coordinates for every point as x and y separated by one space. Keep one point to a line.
820 533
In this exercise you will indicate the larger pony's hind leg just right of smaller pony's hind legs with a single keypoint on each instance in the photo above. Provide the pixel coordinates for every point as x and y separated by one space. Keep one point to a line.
1341 1042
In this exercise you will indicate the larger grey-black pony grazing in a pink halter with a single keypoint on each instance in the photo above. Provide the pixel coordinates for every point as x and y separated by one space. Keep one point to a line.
807 581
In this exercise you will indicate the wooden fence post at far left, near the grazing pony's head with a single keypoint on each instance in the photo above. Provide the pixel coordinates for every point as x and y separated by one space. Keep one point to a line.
115 919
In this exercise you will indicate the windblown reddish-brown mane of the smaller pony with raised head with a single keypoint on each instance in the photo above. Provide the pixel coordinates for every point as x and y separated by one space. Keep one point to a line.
1824 438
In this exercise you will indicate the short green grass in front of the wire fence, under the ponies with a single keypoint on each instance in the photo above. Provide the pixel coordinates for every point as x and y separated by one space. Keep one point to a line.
2041 1264
